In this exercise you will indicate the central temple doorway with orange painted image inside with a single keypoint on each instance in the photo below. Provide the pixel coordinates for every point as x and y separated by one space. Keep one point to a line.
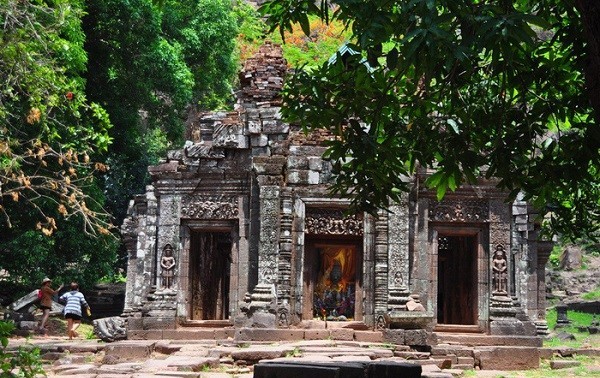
332 281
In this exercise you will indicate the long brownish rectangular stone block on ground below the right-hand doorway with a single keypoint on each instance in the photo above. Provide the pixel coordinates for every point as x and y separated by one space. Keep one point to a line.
507 358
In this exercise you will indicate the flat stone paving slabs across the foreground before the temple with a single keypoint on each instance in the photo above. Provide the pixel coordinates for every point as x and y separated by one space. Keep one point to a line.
226 358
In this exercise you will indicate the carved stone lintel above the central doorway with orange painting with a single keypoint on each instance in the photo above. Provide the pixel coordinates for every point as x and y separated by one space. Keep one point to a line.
332 222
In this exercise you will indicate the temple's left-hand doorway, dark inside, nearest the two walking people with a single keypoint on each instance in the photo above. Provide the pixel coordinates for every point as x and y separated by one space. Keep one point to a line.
210 271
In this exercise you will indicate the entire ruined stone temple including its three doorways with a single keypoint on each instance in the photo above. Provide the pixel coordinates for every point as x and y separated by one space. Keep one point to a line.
238 235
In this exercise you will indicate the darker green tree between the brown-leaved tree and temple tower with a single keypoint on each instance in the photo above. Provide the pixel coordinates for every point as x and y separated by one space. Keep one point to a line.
148 64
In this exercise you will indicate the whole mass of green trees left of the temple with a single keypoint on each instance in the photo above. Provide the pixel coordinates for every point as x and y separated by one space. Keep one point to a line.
91 94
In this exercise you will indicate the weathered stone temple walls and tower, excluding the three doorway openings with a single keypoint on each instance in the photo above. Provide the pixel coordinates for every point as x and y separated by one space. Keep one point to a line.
264 183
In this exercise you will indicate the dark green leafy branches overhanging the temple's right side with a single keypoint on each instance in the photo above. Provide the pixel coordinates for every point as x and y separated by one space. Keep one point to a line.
464 88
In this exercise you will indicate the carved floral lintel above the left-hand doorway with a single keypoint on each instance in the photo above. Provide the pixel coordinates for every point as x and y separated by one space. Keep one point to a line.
209 208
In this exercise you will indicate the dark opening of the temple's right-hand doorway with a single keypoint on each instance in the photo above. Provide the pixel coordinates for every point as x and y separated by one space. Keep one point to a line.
457 280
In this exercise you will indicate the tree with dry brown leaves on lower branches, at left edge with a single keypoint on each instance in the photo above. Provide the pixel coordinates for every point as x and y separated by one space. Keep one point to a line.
49 132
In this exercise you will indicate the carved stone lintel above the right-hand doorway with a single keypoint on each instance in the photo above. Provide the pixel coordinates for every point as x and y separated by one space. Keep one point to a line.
459 211
